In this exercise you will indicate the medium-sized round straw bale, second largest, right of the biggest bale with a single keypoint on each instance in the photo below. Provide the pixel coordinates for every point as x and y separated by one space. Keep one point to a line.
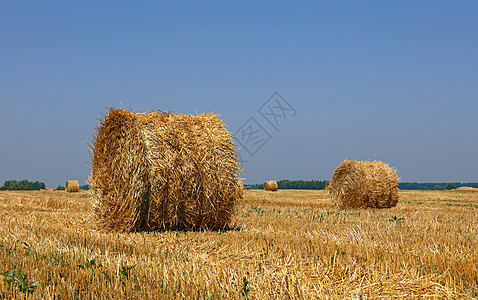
362 184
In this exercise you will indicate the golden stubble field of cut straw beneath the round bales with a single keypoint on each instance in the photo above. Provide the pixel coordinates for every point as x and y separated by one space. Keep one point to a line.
284 245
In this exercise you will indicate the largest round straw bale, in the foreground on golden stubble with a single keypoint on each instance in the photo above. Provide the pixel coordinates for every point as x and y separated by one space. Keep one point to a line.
162 171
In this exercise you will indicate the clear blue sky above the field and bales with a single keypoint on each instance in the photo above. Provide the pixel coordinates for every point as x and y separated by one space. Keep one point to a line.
389 80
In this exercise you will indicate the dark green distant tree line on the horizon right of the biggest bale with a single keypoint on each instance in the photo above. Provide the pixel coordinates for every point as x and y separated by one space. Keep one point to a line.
320 185
